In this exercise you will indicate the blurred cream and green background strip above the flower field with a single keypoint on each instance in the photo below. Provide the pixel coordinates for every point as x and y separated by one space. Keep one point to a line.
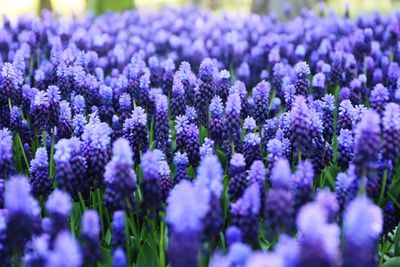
67 8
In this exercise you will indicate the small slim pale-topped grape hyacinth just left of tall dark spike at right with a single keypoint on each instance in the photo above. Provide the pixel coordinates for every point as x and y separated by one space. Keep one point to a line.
345 148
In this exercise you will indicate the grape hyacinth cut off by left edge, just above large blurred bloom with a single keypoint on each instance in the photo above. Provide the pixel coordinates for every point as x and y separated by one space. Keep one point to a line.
6 152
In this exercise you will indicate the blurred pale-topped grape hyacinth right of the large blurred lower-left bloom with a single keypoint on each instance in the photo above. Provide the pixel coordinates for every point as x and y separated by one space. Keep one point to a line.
59 207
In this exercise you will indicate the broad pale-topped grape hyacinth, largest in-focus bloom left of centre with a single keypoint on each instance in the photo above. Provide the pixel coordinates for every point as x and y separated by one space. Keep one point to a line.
96 150
